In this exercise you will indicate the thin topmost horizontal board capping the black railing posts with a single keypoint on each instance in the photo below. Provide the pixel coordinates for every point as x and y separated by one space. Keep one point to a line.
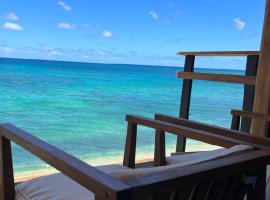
220 53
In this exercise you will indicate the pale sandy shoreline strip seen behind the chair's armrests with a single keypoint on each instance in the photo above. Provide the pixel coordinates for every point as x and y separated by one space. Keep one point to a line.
141 157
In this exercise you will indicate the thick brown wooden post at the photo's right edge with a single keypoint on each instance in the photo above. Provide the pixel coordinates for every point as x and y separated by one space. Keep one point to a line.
262 89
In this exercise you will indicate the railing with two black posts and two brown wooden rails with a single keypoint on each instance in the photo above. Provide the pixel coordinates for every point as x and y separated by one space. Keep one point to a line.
249 80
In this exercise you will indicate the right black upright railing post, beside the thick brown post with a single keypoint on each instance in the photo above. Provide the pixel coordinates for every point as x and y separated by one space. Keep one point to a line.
251 70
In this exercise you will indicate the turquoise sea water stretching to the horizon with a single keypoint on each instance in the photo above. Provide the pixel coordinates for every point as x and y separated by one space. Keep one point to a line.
81 108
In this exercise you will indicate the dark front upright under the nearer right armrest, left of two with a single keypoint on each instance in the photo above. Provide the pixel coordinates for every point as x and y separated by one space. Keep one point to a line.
130 148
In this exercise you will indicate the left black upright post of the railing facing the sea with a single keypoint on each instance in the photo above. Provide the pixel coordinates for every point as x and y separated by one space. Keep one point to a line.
185 100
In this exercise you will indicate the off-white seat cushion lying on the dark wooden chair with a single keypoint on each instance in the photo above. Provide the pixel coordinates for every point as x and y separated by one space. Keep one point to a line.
60 187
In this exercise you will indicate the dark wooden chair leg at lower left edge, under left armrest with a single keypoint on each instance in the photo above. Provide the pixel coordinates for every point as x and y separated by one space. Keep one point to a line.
7 187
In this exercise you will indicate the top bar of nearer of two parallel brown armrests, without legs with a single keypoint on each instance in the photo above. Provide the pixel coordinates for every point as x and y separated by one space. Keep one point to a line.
200 135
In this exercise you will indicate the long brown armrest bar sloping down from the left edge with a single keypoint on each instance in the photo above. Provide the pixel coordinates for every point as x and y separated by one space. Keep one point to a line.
103 185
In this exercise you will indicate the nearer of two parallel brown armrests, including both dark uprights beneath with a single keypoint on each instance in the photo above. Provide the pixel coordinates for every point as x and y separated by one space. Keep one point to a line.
177 129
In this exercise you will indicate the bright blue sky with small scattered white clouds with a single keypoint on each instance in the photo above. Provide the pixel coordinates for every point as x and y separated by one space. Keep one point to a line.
146 32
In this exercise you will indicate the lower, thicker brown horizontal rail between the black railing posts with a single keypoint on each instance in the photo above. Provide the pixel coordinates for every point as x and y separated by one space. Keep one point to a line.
227 78
